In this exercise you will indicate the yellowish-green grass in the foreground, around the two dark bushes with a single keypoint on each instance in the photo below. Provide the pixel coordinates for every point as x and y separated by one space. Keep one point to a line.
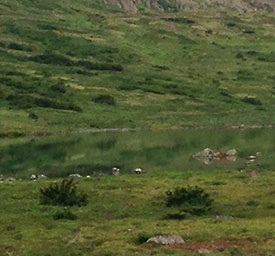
123 208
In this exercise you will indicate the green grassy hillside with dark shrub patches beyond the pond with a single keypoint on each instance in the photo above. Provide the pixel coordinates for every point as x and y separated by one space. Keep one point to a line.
72 65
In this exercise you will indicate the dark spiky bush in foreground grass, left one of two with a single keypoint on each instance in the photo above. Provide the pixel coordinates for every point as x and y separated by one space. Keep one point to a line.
64 193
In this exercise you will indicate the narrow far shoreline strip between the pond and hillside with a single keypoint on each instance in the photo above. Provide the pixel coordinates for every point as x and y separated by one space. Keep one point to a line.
12 135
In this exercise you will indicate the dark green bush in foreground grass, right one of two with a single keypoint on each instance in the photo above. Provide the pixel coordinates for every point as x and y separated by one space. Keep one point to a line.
192 200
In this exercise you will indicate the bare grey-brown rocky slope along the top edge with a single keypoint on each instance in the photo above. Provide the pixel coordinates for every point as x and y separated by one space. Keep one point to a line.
176 5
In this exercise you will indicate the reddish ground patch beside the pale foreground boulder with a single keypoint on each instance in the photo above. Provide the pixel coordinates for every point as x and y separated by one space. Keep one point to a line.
218 245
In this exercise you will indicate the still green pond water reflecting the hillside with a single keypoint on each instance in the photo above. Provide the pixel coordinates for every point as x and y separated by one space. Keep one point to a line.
97 153
